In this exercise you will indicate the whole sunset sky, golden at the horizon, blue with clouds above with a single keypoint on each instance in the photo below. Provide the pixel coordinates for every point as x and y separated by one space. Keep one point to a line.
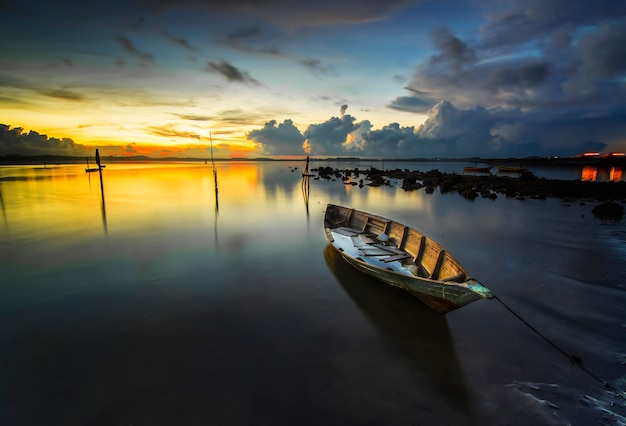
362 78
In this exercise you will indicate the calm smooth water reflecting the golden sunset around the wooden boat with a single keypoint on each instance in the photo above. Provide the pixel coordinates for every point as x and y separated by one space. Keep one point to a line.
169 304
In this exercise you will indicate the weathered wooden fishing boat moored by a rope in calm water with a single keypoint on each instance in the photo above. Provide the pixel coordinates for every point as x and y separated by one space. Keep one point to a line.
403 257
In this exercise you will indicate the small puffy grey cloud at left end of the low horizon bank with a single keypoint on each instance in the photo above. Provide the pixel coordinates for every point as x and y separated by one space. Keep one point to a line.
279 139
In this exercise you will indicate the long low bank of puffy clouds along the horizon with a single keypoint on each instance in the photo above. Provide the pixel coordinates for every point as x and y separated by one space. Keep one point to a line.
448 132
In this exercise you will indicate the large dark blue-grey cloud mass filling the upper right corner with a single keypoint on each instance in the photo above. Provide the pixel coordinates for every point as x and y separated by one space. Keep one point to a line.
532 56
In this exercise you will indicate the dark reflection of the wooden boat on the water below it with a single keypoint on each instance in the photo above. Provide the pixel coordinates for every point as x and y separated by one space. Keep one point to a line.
418 333
